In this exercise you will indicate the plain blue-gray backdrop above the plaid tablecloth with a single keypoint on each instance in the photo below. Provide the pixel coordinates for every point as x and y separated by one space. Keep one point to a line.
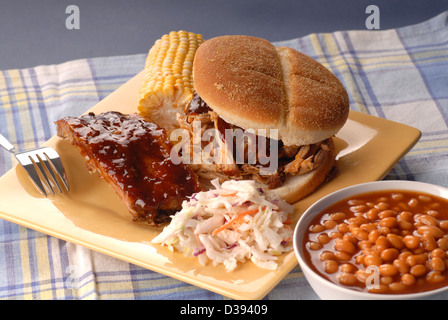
33 32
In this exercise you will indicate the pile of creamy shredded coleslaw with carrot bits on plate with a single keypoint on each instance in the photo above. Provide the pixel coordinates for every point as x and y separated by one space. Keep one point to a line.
235 222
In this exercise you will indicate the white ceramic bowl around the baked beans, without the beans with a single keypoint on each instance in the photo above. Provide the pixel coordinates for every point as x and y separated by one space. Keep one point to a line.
328 290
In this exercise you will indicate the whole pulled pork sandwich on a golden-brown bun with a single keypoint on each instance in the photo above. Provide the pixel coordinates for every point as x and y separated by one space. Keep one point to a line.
275 94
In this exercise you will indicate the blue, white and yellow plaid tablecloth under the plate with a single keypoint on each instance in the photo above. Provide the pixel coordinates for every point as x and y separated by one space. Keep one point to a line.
399 74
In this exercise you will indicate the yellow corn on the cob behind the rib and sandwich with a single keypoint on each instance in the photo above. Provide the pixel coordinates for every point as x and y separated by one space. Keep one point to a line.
168 77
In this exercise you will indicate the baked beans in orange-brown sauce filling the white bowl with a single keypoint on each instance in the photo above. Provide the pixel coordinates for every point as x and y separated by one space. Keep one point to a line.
402 235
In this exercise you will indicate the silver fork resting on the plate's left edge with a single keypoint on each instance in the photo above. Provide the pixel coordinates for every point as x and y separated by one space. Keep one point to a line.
43 165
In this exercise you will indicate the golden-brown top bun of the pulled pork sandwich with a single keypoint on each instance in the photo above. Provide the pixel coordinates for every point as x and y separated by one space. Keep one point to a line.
252 84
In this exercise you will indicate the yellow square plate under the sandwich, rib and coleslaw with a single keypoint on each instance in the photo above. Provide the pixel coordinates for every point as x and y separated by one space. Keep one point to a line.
92 215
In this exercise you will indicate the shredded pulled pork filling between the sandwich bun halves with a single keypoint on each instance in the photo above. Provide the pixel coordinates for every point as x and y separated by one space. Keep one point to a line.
292 160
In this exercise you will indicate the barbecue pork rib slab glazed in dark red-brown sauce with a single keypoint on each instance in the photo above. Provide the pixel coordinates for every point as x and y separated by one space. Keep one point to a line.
133 156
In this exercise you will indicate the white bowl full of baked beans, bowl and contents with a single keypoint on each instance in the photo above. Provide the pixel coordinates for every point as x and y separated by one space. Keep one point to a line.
377 240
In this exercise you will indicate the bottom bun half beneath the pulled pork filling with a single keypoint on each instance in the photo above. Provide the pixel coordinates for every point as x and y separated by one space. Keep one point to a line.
298 187
